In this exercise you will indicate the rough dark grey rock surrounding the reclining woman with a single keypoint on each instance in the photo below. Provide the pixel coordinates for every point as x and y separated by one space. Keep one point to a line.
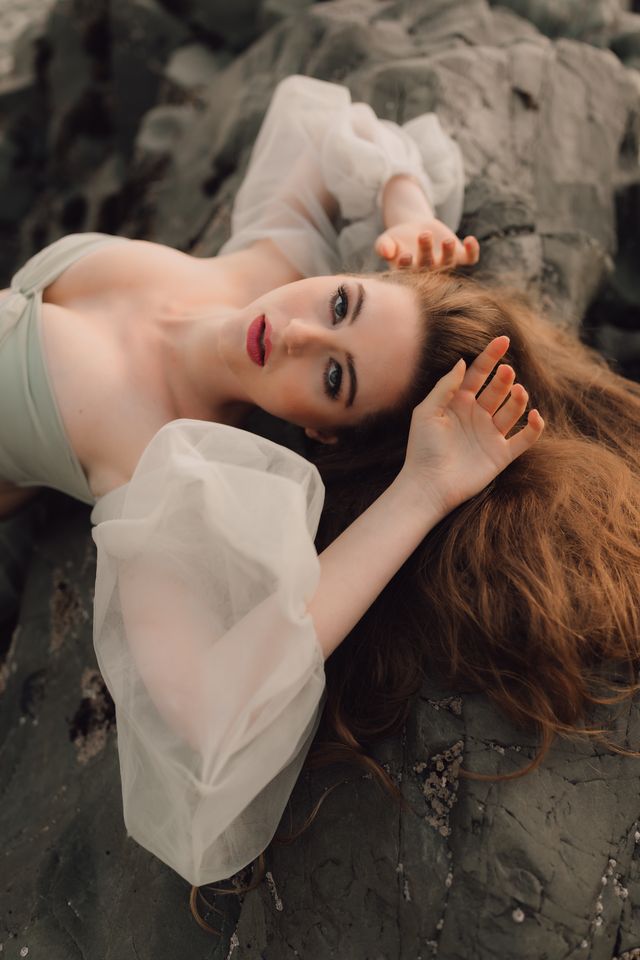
549 123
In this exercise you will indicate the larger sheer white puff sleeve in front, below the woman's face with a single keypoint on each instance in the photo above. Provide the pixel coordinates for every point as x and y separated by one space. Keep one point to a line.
205 563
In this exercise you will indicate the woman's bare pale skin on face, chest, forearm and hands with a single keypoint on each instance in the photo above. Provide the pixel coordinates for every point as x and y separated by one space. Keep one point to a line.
127 308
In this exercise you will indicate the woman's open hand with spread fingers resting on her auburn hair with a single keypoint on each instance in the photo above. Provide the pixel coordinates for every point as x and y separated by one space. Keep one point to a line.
458 441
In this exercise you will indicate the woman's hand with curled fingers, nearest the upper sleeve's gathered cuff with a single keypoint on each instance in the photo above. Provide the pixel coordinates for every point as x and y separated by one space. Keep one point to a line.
428 244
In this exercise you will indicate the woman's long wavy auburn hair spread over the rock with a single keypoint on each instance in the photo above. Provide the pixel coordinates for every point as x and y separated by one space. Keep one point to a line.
527 592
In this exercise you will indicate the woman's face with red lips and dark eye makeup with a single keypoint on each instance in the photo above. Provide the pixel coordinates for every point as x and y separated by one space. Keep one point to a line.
325 351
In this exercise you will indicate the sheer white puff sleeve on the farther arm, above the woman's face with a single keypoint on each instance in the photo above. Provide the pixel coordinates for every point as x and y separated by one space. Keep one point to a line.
352 153
